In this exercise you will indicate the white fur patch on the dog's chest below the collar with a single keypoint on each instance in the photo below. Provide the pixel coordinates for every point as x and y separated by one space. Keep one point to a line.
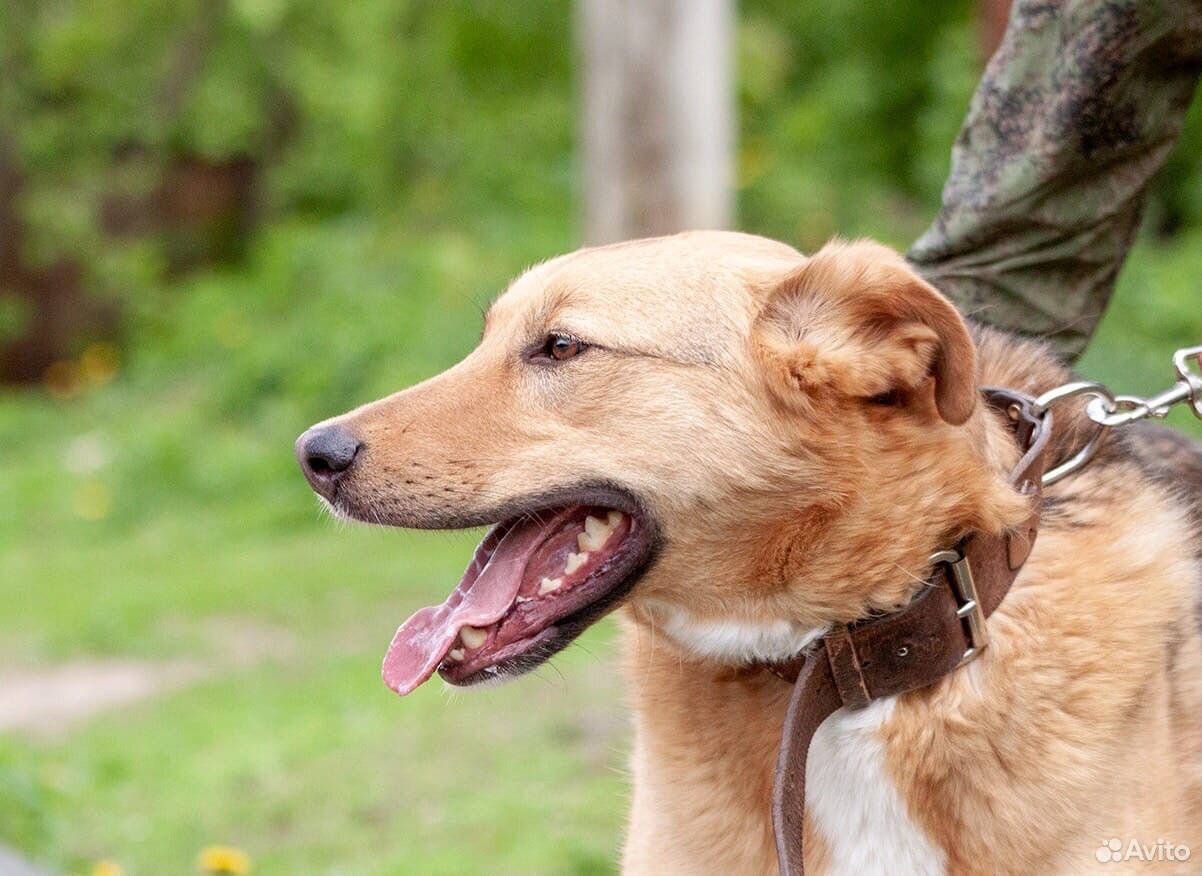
856 807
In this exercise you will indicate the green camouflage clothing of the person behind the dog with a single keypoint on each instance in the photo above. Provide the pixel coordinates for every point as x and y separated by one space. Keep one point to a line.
1078 110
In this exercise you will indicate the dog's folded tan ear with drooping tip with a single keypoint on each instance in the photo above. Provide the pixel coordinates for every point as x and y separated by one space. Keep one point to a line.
856 318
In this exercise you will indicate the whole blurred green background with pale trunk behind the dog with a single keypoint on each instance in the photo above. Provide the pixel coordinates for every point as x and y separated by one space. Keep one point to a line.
223 221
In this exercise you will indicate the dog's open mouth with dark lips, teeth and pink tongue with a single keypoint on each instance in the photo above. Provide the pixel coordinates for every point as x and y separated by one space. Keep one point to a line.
534 585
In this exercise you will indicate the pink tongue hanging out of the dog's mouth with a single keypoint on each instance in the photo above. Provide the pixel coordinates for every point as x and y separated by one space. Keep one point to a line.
480 600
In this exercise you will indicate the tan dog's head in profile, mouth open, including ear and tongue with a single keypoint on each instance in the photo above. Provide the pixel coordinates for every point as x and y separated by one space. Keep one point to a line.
742 443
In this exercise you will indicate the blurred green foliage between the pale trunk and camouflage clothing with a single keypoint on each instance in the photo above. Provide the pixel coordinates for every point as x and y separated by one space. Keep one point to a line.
849 114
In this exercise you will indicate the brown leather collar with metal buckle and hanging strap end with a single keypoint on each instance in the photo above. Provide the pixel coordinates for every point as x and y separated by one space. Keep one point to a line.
915 647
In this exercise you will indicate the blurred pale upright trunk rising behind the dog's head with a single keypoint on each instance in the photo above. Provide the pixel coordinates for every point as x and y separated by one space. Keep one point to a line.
659 116
